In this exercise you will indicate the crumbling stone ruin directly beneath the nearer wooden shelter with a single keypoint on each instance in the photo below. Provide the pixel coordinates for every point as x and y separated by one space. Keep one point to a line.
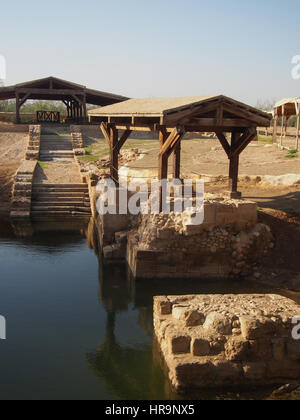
229 242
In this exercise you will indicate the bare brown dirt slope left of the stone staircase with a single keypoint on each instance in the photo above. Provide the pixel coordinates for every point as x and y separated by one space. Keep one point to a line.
12 151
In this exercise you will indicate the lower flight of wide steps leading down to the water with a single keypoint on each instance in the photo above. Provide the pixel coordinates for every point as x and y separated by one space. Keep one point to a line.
60 200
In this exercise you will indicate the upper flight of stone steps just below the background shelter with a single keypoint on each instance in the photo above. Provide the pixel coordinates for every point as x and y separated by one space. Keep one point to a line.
54 147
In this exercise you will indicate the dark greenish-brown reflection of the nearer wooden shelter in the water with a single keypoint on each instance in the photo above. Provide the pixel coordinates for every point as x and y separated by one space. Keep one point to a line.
128 371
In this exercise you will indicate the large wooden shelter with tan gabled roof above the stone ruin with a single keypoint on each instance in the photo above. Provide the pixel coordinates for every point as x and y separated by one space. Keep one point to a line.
172 118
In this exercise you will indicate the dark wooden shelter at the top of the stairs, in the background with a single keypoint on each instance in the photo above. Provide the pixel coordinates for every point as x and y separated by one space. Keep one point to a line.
74 96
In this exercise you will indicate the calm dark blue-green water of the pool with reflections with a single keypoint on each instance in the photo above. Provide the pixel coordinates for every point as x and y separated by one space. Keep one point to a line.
78 329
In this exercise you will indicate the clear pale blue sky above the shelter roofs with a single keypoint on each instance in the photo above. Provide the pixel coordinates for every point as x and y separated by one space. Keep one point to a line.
147 48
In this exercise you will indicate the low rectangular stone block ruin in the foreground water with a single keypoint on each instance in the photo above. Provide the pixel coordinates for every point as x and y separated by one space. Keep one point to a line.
227 340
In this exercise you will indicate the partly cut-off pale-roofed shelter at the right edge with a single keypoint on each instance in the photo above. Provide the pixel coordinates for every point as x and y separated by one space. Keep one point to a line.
285 109
